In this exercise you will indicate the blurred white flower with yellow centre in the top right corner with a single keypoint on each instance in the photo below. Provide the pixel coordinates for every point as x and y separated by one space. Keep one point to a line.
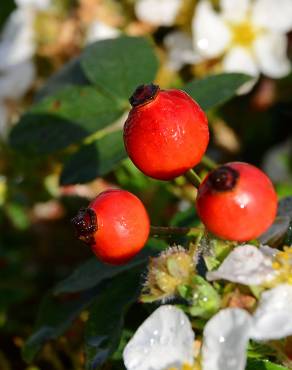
249 35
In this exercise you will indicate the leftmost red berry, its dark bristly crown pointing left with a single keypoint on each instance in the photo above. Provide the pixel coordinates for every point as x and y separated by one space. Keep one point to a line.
115 225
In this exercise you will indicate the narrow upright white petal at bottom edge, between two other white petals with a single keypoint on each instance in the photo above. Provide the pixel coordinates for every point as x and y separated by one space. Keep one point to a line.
225 340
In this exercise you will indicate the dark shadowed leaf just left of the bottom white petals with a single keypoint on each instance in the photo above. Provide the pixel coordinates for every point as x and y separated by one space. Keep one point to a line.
104 326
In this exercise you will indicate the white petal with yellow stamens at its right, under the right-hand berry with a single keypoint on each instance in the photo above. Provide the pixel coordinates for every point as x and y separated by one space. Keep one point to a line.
250 265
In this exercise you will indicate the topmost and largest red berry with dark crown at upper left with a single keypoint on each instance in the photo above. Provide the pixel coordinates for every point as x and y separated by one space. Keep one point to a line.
166 132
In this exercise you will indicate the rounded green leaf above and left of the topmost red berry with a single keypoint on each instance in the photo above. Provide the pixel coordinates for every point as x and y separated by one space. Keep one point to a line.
118 66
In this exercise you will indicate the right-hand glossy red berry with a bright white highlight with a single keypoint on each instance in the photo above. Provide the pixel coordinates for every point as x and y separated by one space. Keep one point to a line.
237 201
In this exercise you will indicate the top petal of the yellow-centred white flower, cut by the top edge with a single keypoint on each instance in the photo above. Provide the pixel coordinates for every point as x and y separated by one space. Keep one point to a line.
235 11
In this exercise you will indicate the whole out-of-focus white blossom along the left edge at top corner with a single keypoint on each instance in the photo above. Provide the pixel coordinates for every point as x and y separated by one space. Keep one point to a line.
17 49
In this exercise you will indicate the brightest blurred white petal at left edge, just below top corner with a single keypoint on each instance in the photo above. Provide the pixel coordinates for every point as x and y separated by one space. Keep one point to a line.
17 41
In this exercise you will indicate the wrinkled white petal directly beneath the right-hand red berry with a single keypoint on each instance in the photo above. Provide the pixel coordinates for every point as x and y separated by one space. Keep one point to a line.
245 265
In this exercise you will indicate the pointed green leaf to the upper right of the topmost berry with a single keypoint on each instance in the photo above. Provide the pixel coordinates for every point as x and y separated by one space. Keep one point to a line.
215 90
